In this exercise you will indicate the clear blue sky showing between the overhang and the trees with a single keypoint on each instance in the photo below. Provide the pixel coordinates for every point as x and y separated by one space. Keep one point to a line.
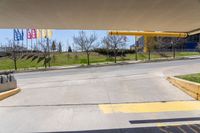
64 36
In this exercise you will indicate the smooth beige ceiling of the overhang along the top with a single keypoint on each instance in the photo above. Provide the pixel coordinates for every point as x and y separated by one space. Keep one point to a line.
146 15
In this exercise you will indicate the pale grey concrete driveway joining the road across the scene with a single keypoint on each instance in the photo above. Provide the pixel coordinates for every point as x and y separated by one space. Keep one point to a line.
68 100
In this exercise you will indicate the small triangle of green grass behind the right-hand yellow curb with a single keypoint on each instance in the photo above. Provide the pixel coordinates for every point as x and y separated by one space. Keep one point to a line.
191 77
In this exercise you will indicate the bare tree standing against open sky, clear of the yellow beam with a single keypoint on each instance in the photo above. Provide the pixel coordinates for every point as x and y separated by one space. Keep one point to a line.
86 43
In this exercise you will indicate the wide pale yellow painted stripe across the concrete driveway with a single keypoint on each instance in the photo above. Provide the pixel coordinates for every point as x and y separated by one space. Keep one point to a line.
150 107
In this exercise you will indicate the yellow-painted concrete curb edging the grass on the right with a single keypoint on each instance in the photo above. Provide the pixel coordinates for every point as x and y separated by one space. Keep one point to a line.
191 88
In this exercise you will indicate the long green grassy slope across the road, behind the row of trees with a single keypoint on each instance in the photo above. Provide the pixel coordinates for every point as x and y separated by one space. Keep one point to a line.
67 59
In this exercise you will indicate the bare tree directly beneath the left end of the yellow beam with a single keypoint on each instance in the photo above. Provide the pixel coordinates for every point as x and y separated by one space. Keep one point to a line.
115 42
